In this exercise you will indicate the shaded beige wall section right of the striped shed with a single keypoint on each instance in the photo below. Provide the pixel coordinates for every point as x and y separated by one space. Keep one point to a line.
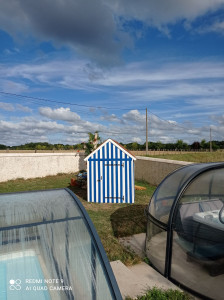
154 170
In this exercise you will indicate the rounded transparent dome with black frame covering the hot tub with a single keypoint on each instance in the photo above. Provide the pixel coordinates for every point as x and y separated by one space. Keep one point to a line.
185 230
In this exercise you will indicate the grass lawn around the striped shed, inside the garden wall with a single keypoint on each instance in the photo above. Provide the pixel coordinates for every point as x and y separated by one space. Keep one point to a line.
111 220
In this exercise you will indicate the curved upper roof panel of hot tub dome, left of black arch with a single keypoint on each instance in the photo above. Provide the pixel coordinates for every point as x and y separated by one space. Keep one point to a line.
168 192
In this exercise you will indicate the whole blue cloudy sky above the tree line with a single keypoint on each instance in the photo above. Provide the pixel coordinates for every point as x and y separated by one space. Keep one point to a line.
69 67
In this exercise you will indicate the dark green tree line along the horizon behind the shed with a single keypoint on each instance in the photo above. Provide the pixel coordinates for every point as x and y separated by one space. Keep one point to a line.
179 145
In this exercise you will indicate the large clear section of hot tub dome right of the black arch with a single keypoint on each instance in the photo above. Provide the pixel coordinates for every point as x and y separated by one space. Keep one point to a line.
198 239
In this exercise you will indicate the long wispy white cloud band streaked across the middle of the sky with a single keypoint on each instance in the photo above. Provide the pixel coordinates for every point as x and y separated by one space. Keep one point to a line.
141 81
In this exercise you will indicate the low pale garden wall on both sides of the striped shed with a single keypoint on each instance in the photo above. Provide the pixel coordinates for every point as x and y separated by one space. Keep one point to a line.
32 165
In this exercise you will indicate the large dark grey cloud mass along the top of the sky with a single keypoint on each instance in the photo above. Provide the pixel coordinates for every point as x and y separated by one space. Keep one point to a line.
94 28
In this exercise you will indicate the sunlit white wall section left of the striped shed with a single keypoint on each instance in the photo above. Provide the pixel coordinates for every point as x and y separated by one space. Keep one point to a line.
32 165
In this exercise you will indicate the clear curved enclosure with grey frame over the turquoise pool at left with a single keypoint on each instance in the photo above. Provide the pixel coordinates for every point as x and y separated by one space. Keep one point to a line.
48 237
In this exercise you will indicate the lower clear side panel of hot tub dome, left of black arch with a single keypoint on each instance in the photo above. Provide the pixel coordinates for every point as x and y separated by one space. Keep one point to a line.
156 245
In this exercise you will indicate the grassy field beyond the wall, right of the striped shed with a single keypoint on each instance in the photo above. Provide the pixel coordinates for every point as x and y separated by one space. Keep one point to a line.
201 157
